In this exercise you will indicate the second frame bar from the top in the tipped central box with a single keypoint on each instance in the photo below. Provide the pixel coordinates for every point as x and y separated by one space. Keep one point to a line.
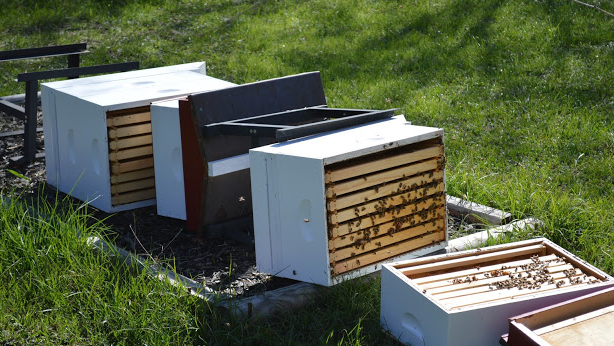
373 180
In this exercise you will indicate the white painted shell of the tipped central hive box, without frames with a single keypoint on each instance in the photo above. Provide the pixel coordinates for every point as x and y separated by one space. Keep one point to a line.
289 203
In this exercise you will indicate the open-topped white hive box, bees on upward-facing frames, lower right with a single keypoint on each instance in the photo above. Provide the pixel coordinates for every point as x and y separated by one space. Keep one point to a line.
466 298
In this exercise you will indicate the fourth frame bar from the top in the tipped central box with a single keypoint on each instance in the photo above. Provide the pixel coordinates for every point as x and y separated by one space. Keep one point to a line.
391 203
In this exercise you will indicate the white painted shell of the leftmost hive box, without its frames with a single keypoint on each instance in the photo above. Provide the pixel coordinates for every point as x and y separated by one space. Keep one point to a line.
74 118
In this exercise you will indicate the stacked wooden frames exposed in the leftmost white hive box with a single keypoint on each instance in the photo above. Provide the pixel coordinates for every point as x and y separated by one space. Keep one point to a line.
130 155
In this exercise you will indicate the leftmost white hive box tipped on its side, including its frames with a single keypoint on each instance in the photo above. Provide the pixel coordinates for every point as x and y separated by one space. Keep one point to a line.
98 143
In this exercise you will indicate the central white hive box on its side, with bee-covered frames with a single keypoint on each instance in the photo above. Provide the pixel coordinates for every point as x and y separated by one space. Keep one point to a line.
336 205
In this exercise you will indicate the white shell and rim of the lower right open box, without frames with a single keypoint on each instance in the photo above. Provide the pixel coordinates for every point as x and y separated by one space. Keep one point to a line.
414 317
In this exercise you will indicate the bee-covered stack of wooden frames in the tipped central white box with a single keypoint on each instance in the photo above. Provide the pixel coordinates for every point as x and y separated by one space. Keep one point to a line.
383 205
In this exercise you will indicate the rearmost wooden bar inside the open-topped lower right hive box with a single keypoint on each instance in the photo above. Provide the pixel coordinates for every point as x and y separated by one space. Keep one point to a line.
476 259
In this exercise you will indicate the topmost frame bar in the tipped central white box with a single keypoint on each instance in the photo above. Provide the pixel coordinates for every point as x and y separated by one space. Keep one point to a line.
383 164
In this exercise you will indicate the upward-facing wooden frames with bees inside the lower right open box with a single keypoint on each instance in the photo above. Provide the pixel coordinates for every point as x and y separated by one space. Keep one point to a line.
491 276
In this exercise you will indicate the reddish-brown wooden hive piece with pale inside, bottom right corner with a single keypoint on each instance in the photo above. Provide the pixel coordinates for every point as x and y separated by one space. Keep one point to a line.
582 321
